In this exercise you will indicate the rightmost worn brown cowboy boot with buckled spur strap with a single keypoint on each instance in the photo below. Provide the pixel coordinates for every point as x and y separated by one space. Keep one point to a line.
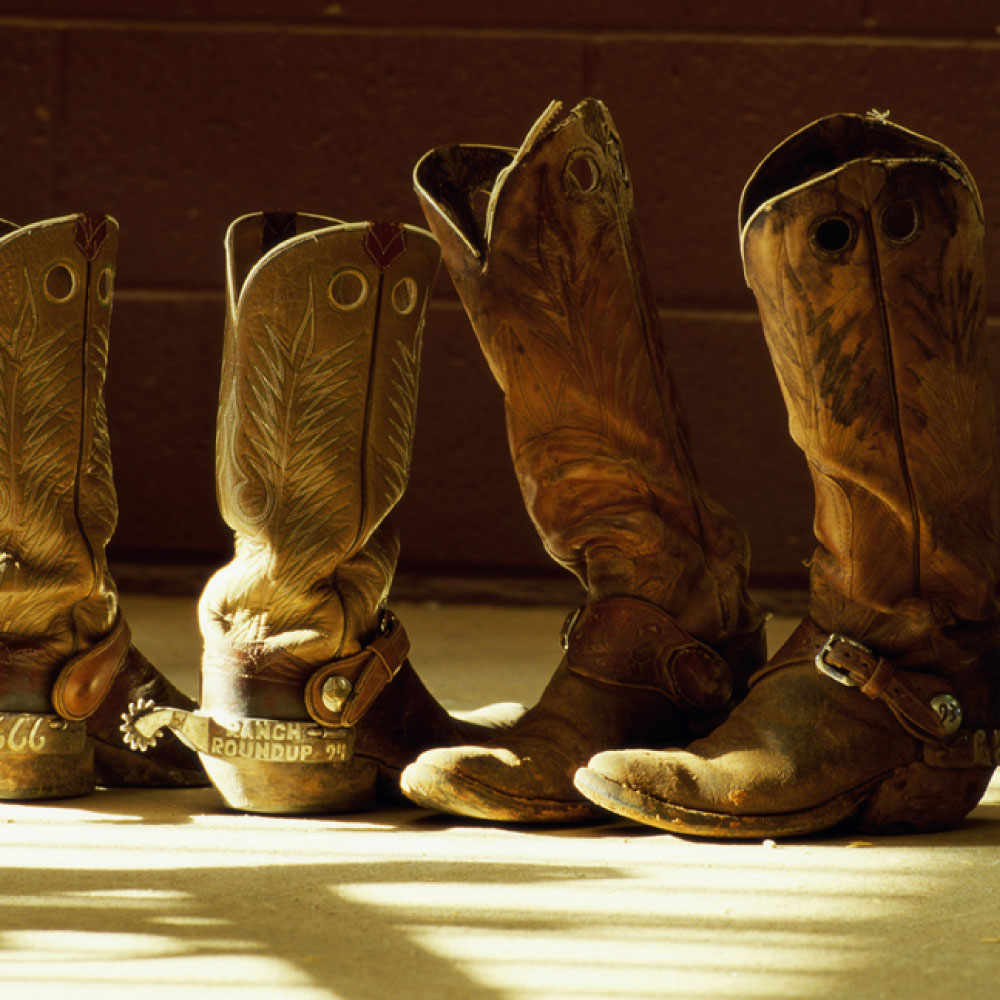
862 242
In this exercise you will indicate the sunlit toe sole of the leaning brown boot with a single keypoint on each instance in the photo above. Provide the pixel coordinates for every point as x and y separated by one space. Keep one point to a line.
436 789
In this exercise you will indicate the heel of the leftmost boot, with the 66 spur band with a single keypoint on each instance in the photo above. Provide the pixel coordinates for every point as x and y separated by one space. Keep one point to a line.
44 757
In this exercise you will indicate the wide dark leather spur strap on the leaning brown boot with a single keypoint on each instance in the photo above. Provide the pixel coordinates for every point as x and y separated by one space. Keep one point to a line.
632 643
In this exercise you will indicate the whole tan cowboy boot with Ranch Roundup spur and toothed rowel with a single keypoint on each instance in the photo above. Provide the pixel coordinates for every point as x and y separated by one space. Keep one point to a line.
308 698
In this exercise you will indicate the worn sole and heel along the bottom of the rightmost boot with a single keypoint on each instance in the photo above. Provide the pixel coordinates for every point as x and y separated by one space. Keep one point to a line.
914 798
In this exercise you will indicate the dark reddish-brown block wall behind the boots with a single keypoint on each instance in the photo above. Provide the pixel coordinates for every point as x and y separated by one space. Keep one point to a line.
177 116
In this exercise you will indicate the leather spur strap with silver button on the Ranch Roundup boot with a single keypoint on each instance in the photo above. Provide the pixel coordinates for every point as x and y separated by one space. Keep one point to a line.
340 692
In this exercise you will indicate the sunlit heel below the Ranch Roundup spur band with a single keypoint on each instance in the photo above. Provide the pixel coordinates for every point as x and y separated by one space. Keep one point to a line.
289 789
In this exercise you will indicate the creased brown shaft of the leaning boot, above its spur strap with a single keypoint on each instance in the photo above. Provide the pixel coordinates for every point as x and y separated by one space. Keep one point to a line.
543 247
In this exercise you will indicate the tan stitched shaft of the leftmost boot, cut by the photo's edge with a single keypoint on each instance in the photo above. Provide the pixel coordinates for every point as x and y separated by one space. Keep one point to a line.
57 501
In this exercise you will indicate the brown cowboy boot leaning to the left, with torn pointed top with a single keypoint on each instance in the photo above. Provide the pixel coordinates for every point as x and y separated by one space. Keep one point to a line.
555 286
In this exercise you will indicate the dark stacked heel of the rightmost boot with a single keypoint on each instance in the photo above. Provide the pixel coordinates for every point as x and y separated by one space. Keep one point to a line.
920 798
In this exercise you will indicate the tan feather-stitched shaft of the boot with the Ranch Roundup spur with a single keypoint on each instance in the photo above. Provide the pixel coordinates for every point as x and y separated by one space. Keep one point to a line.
316 414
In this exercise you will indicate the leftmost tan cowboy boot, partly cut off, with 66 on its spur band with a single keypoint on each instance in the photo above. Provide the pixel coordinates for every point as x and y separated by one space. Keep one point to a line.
67 667
